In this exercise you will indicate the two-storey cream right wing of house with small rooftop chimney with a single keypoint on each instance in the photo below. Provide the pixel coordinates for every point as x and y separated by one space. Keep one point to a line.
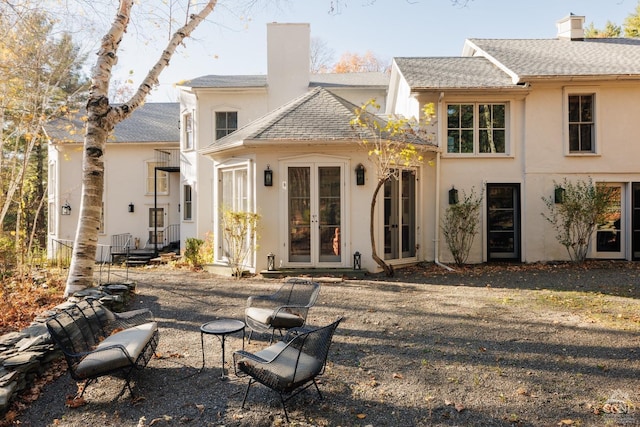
516 118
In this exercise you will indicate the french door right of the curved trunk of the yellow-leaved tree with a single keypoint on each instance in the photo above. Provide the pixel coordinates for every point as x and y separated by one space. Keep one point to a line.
400 216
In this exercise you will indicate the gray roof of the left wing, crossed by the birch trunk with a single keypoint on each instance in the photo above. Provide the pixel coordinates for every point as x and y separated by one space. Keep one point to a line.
152 122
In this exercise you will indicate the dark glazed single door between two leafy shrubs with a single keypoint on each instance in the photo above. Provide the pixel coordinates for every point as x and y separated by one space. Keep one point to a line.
503 222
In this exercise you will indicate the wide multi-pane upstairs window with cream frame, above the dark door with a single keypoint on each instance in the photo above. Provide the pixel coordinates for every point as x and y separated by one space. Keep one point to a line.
476 128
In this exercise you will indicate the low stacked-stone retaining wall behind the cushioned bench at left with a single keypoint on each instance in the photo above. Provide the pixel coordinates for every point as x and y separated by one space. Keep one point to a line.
26 354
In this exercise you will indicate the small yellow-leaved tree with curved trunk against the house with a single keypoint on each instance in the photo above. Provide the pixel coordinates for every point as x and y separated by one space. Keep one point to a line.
392 145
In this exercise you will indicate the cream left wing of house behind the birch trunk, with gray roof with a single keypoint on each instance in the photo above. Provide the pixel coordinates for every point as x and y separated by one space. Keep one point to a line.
142 192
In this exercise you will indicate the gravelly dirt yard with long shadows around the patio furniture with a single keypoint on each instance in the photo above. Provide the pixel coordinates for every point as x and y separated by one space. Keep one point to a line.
543 345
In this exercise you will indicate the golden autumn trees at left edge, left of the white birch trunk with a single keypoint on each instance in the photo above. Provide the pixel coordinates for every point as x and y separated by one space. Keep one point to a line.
40 78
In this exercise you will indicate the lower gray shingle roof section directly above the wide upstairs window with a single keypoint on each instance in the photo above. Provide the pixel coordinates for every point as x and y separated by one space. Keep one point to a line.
452 73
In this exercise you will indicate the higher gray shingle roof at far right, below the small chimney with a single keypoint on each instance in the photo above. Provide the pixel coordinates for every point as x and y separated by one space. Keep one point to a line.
529 58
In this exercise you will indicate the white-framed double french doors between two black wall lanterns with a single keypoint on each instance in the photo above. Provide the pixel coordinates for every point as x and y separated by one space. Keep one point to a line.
315 214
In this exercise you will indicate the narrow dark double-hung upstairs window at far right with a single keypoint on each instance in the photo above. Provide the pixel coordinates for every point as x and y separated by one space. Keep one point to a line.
581 123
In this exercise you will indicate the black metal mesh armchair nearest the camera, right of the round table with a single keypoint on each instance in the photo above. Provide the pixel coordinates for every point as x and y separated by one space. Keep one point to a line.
289 366
